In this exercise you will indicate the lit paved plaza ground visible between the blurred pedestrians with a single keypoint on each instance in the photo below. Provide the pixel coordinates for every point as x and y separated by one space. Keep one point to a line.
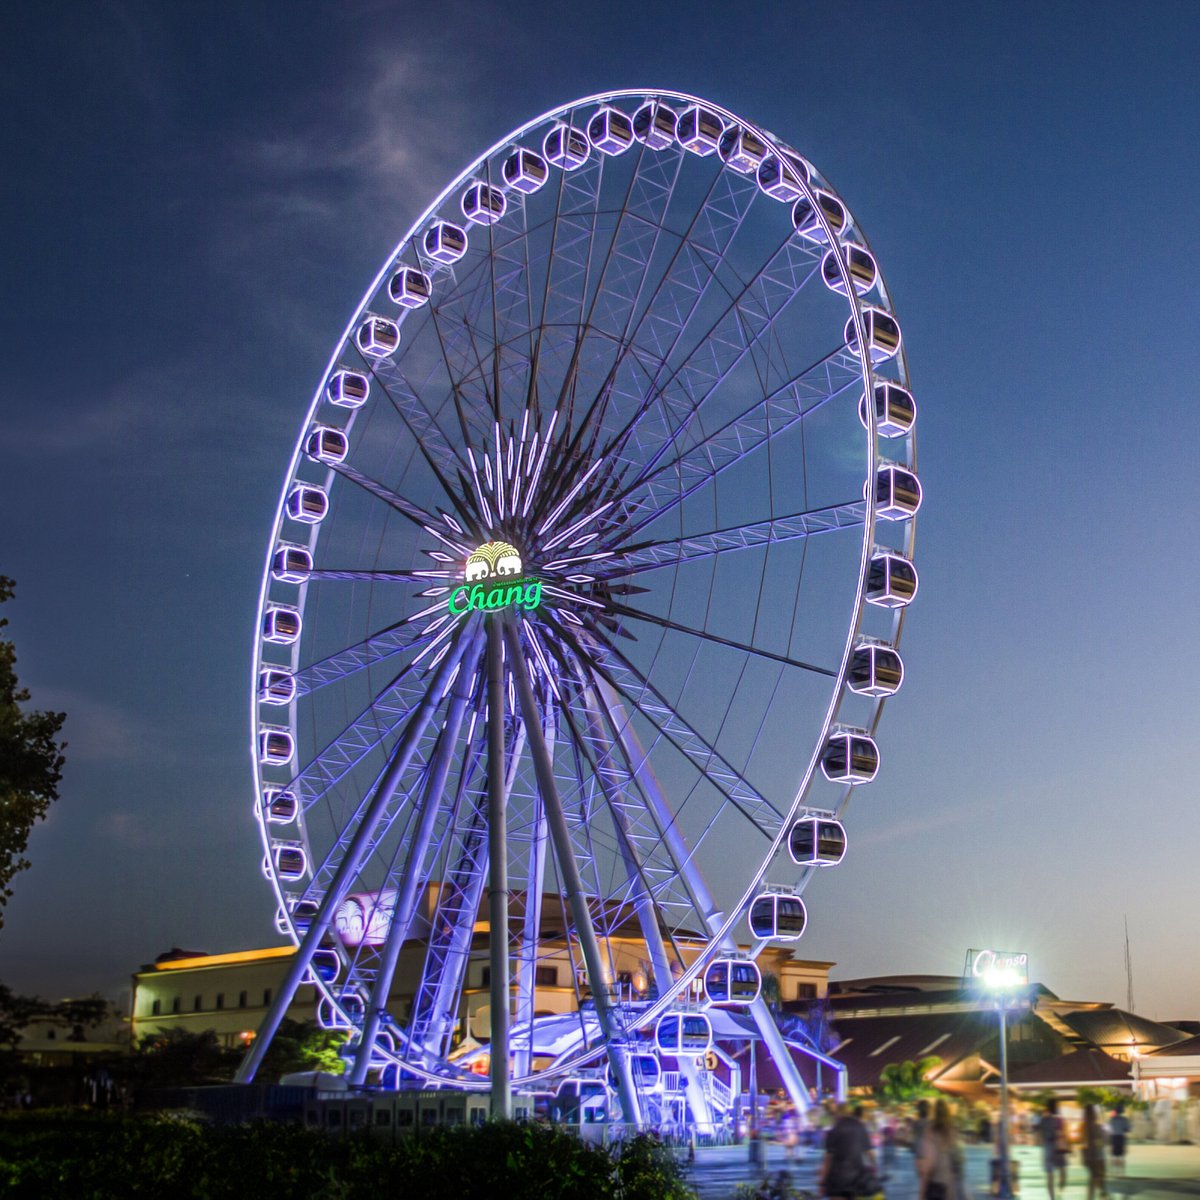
1153 1173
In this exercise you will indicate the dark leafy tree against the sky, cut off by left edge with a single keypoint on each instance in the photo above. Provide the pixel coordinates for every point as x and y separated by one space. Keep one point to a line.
31 763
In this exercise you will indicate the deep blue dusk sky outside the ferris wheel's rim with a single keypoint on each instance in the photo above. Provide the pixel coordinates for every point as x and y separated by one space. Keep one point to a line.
196 196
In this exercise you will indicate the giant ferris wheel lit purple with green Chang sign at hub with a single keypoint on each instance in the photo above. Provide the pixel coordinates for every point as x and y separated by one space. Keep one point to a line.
584 596
